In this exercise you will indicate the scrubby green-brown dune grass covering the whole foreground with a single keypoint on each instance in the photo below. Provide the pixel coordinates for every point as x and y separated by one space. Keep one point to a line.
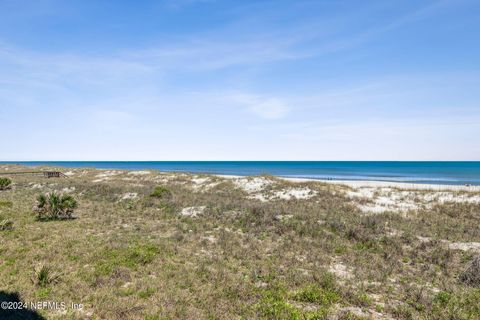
140 257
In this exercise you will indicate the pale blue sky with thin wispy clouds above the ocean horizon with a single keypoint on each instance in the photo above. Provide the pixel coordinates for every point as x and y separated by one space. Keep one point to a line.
240 80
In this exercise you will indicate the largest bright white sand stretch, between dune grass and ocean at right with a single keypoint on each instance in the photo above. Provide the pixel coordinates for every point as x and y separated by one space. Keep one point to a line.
381 196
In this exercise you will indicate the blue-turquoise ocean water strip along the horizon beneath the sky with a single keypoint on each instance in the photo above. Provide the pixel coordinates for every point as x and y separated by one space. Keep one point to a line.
431 172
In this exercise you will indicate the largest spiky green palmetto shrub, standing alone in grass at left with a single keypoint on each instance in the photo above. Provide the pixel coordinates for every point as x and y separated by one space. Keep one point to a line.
55 206
